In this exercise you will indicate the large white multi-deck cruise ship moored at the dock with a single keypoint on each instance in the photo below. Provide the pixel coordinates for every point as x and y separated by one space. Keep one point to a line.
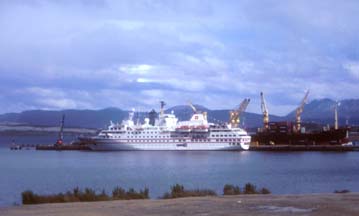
167 133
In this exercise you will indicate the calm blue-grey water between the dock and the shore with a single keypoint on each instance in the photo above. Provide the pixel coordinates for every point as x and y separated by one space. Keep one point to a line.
59 171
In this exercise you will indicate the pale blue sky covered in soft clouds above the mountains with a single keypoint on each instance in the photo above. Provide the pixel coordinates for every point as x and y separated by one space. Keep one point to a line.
67 54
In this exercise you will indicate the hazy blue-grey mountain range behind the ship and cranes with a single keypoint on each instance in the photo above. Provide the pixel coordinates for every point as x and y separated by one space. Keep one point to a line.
317 111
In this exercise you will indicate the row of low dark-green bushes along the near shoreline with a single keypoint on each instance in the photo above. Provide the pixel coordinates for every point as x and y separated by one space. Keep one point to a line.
118 193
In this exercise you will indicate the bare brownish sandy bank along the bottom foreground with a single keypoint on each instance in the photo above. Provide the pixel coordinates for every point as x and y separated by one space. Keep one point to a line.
314 204
